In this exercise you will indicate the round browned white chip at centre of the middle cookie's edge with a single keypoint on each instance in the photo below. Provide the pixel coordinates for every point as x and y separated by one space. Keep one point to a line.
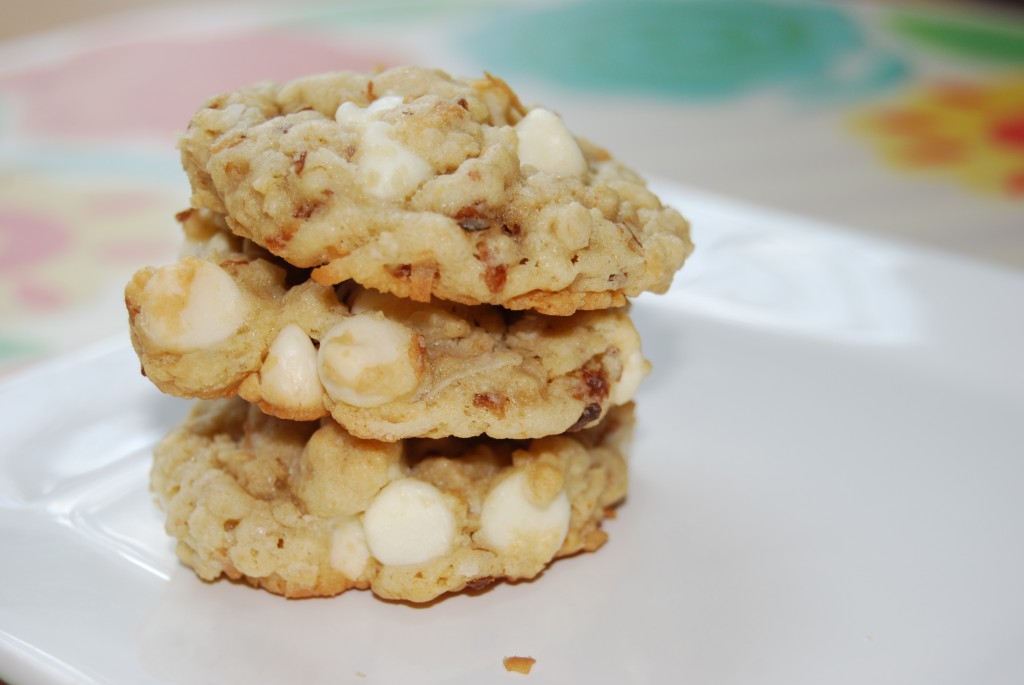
369 361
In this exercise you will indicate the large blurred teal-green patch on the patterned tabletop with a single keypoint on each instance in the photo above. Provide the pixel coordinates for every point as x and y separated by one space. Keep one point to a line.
700 50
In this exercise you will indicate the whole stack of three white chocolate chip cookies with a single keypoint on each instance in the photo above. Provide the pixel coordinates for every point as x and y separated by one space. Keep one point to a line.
403 304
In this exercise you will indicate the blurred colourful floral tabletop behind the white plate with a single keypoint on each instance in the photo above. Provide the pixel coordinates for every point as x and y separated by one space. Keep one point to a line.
901 121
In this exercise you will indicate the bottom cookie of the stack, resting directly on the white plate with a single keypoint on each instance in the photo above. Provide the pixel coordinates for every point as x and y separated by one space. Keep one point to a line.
306 509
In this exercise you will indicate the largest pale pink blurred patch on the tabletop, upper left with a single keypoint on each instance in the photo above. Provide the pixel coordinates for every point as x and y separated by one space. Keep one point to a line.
153 89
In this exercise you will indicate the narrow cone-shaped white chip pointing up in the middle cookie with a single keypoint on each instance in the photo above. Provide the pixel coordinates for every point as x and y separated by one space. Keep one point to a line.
289 377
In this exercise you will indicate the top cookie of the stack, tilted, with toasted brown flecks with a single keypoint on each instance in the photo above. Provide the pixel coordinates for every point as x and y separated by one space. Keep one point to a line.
422 186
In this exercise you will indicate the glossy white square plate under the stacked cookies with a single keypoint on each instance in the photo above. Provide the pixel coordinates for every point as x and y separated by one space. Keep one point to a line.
828 487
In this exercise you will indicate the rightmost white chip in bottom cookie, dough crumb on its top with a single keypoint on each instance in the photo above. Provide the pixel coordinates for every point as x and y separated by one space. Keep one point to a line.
510 524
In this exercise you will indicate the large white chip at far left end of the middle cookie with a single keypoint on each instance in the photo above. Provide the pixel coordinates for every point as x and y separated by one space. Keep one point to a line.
191 306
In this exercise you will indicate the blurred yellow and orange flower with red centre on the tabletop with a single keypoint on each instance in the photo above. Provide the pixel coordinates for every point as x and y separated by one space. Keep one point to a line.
973 133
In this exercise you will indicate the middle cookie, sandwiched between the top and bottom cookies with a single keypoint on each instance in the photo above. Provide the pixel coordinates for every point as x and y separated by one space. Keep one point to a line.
233 322
